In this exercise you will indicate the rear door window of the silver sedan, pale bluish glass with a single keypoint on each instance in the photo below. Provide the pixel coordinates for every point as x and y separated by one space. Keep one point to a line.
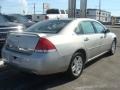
87 27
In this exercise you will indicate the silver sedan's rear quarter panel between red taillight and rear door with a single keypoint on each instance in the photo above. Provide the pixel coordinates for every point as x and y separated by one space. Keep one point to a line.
66 46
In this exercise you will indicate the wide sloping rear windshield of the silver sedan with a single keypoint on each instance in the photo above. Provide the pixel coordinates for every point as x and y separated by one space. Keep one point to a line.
48 26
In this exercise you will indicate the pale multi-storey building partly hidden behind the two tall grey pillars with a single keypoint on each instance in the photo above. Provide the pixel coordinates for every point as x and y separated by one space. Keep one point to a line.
104 16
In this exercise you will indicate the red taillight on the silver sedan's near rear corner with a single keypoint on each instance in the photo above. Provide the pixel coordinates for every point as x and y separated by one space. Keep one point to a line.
44 45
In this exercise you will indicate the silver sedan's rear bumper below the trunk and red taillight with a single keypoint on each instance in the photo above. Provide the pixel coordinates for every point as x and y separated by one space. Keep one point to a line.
39 63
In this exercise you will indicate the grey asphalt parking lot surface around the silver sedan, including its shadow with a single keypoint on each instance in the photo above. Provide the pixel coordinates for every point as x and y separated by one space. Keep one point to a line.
101 74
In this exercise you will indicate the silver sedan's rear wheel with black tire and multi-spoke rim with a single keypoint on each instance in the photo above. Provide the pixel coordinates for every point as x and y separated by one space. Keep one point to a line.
76 66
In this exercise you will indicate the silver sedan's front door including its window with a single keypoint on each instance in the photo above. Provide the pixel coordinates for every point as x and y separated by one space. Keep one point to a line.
103 37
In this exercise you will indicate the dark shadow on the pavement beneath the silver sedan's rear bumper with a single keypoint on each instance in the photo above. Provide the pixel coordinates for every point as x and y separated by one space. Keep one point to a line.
10 79
